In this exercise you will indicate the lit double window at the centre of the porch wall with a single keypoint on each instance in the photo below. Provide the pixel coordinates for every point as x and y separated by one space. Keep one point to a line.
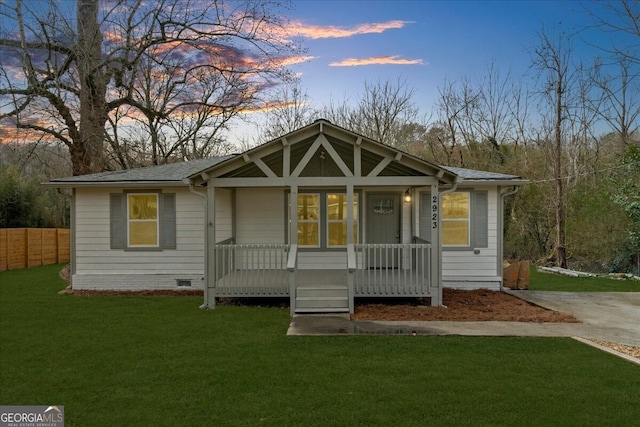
322 220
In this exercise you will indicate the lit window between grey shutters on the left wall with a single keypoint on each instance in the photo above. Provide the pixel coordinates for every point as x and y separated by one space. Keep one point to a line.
142 220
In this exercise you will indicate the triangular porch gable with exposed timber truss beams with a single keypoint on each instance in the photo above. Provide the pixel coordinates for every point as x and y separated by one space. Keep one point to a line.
327 155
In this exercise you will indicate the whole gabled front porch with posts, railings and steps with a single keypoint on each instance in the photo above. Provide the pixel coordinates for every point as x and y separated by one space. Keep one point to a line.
322 216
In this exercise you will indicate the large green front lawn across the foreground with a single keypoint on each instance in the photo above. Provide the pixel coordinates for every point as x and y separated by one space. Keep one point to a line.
160 361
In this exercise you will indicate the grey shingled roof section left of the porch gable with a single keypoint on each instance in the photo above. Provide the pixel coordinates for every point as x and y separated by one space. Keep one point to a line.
172 174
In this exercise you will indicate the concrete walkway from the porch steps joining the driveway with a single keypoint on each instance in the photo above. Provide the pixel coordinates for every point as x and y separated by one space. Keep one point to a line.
607 316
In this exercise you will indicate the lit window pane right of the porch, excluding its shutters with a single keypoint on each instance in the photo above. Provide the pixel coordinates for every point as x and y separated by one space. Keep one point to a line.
455 219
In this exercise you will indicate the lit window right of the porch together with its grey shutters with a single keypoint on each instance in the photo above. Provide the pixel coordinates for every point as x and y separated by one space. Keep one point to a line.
464 219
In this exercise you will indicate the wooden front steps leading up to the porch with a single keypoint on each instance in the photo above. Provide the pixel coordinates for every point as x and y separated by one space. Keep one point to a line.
322 299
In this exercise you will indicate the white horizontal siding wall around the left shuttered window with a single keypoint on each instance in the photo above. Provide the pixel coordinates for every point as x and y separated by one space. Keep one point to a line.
99 266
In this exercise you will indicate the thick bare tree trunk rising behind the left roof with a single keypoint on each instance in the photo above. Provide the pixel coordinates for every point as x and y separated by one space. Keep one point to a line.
87 155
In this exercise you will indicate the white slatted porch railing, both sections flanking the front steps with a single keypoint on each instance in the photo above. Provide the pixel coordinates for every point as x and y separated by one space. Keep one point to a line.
243 270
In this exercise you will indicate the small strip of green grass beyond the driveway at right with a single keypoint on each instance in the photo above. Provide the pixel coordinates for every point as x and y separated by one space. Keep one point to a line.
542 281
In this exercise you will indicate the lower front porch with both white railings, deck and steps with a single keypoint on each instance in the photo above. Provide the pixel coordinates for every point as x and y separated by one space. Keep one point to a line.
255 270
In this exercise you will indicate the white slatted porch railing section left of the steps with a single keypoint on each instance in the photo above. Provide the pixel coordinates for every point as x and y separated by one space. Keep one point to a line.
251 269
